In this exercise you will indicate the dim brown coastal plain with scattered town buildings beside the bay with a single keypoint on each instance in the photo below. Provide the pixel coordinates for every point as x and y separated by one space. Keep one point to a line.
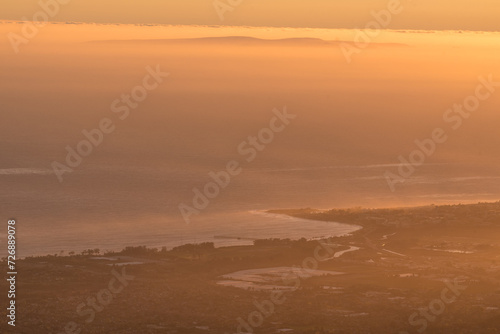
432 269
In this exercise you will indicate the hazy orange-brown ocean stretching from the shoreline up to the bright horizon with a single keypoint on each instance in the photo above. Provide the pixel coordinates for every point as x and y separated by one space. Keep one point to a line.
352 123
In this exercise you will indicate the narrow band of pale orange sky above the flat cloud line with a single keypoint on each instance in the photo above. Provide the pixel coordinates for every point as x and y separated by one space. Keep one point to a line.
417 14
